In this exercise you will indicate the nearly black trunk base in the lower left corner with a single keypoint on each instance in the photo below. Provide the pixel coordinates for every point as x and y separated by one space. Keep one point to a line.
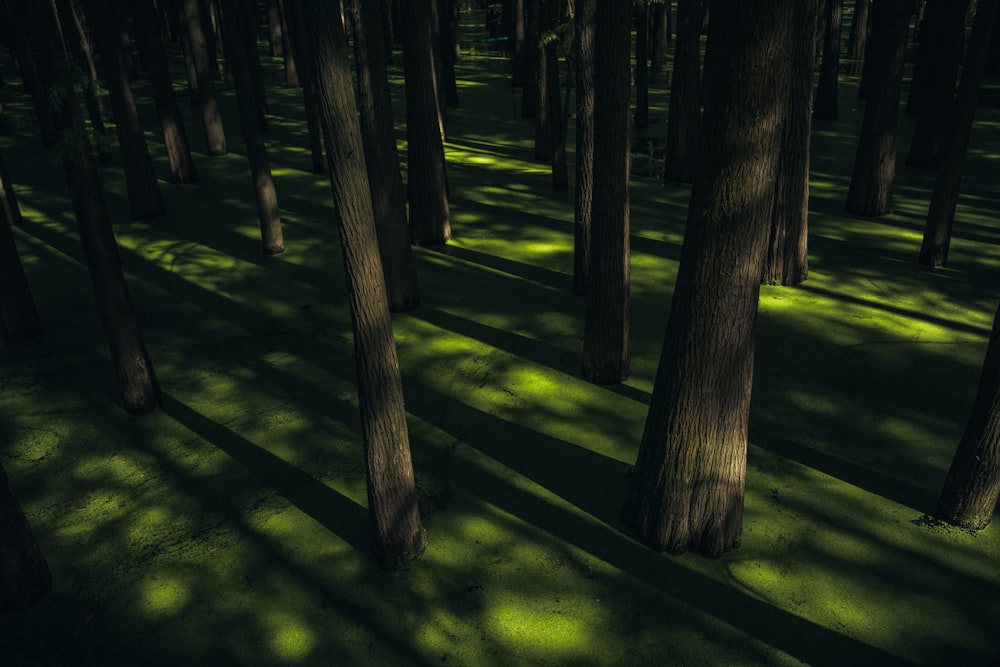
25 577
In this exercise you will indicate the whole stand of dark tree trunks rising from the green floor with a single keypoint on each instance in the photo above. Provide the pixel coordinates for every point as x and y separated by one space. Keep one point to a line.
739 122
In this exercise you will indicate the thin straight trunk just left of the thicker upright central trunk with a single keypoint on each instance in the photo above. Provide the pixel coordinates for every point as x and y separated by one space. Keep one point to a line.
584 189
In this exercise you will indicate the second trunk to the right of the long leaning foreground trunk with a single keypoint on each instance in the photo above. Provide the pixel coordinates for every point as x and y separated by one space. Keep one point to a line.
427 190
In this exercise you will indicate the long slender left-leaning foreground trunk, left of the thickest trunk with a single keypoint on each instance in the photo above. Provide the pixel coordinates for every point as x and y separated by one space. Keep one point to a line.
398 536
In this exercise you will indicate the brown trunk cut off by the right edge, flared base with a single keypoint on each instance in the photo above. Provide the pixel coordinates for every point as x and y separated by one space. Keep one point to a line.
971 489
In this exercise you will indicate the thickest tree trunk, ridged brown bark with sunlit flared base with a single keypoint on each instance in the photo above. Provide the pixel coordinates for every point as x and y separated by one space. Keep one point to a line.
686 489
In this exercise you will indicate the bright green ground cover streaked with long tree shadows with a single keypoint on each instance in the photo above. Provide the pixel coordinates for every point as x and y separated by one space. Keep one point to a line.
230 526
